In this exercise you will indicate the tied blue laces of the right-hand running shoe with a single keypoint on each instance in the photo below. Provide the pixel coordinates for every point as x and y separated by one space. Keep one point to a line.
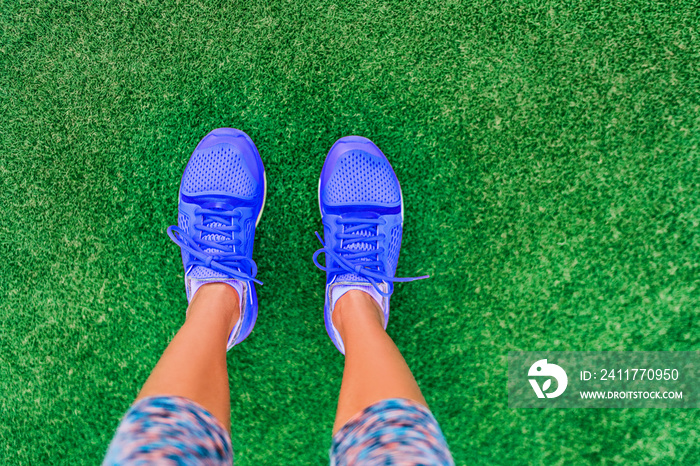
364 263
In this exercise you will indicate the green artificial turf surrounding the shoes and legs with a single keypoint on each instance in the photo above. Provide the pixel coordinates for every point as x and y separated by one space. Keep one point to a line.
548 155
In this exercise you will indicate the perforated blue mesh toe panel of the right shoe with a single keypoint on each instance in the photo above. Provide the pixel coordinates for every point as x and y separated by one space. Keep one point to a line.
361 177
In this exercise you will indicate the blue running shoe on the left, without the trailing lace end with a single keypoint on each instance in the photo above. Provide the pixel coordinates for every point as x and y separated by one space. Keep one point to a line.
221 199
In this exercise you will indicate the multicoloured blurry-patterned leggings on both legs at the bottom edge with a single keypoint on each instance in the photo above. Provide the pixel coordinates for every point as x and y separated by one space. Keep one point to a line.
175 430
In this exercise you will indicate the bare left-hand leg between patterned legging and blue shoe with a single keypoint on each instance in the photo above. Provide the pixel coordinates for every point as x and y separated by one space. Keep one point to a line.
194 364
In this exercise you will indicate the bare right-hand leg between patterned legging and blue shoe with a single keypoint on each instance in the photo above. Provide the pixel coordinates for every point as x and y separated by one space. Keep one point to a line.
374 367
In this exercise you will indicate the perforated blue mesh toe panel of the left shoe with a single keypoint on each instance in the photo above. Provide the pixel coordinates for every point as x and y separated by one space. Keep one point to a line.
218 168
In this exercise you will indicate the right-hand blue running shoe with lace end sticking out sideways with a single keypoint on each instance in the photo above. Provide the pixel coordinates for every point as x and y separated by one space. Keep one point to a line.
362 209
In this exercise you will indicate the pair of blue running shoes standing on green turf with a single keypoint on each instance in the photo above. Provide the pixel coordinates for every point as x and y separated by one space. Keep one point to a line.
221 200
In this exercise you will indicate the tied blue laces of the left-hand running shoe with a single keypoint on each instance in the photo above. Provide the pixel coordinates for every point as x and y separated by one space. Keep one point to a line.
227 261
